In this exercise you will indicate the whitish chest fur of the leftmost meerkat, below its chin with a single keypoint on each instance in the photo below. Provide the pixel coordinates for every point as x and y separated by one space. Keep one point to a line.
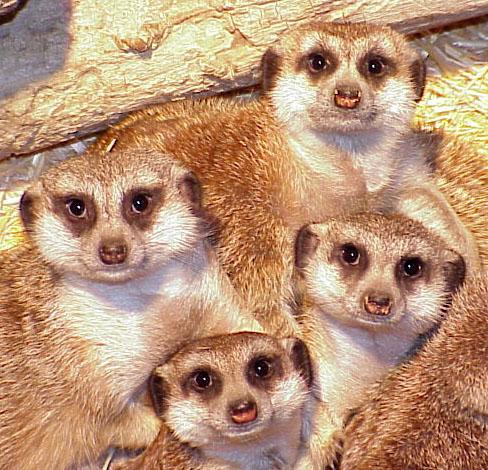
128 326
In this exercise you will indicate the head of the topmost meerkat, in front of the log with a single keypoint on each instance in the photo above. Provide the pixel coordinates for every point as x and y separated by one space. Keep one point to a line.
336 79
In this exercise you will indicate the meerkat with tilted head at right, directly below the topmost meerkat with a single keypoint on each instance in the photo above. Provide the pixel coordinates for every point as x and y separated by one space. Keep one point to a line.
371 285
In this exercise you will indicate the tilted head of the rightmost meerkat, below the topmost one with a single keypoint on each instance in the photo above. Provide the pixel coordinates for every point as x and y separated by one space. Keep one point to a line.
377 270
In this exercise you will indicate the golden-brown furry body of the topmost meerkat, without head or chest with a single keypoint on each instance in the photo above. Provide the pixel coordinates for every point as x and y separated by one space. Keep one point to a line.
247 175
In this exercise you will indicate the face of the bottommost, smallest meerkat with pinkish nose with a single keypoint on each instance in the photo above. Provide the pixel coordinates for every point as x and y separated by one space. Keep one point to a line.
232 389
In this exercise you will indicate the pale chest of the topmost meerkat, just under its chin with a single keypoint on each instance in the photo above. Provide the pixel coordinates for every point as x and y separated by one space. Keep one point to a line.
337 174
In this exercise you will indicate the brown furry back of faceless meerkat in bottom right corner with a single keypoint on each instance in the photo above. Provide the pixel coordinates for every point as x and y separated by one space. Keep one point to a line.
431 412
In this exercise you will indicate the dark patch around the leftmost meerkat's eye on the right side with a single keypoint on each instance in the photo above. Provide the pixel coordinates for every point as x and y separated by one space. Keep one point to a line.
140 205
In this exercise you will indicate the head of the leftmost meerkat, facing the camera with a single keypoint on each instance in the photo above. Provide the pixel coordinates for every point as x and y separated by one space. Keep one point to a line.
114 217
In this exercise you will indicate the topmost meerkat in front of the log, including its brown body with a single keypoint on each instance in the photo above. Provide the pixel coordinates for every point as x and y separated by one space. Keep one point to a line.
331 134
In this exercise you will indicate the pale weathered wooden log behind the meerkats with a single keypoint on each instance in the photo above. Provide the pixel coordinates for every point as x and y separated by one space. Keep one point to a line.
69 67
